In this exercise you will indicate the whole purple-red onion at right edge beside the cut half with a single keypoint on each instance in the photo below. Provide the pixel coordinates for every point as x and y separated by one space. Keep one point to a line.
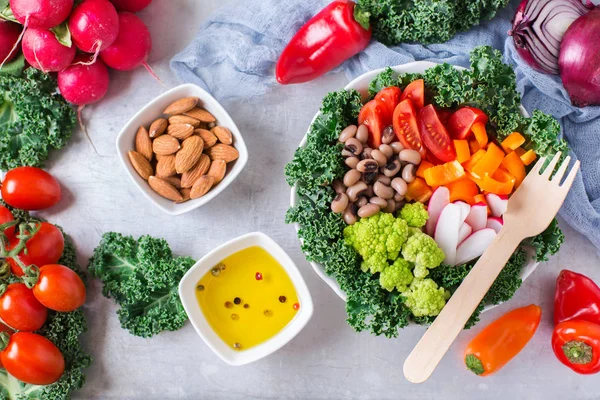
580 60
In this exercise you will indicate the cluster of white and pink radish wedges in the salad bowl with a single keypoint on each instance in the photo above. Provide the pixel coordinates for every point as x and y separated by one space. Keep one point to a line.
462 231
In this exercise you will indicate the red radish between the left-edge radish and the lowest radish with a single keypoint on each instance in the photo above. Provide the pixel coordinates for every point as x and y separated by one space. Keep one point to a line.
43 51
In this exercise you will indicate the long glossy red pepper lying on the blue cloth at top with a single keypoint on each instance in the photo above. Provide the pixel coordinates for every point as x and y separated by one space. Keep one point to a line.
328 39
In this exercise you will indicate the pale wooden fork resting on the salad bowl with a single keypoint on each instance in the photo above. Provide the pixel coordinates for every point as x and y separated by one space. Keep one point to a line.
530 210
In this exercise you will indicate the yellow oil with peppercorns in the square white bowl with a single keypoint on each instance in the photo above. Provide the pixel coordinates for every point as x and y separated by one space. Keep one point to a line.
247 298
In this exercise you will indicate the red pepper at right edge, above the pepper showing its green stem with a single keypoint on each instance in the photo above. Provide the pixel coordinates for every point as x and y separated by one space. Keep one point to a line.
576 297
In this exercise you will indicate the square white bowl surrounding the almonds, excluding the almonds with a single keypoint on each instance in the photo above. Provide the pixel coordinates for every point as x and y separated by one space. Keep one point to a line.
152 111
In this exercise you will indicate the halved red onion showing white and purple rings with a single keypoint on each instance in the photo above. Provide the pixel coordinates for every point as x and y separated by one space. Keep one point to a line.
538 29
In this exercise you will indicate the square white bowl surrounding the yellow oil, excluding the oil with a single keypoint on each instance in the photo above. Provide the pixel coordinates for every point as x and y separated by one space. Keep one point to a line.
187 292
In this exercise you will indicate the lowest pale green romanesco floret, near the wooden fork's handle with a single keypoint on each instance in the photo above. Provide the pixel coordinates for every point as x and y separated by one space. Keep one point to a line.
424 298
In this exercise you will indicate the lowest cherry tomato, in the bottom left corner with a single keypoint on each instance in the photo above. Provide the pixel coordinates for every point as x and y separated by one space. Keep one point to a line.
33 359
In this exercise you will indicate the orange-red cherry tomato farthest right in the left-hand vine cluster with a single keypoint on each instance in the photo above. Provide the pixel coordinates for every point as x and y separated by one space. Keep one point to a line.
59 288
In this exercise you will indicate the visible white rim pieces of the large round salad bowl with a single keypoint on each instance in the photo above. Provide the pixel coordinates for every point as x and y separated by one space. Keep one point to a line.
527 269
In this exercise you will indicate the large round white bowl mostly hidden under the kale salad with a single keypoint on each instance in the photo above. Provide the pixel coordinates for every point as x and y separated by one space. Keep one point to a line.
361 84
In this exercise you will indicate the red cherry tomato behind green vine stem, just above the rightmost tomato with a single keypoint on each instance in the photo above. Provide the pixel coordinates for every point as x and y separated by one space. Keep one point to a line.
45 247
